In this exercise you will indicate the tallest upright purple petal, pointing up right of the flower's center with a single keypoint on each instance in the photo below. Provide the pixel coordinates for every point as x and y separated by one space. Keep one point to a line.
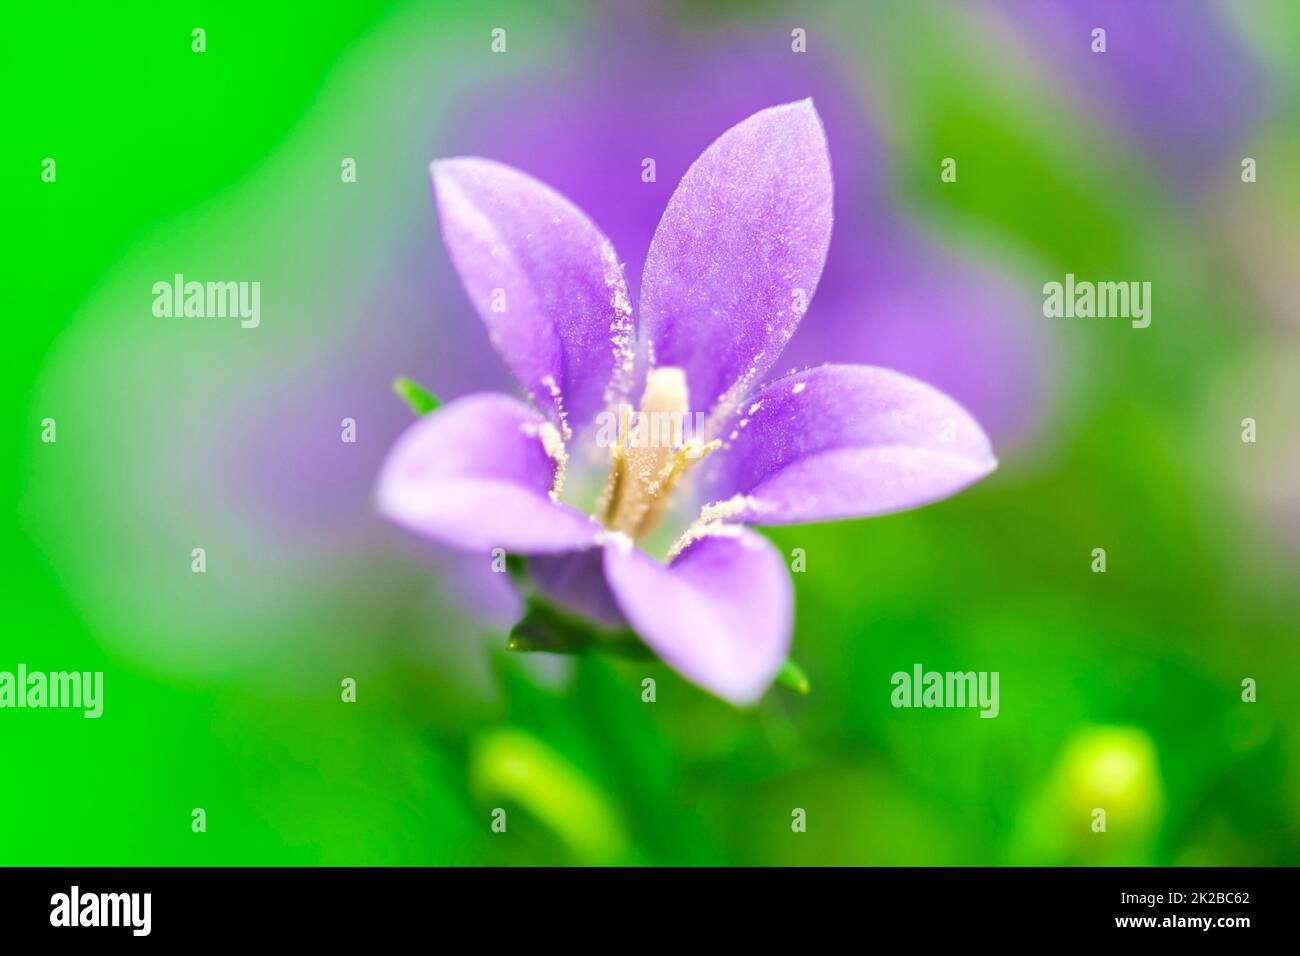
739 252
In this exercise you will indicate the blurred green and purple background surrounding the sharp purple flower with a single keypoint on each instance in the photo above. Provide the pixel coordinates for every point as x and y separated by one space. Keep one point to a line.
1119 690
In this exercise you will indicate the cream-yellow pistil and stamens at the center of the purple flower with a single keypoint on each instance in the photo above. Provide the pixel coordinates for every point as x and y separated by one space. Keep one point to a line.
651 455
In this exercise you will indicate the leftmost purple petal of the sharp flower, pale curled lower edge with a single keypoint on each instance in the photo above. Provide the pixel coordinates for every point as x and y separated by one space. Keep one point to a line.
478 475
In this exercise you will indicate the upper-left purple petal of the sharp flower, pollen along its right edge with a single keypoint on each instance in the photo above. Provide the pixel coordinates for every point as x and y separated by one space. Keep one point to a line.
545 282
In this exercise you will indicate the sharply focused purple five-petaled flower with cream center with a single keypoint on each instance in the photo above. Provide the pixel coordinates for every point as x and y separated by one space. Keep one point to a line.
730 272
